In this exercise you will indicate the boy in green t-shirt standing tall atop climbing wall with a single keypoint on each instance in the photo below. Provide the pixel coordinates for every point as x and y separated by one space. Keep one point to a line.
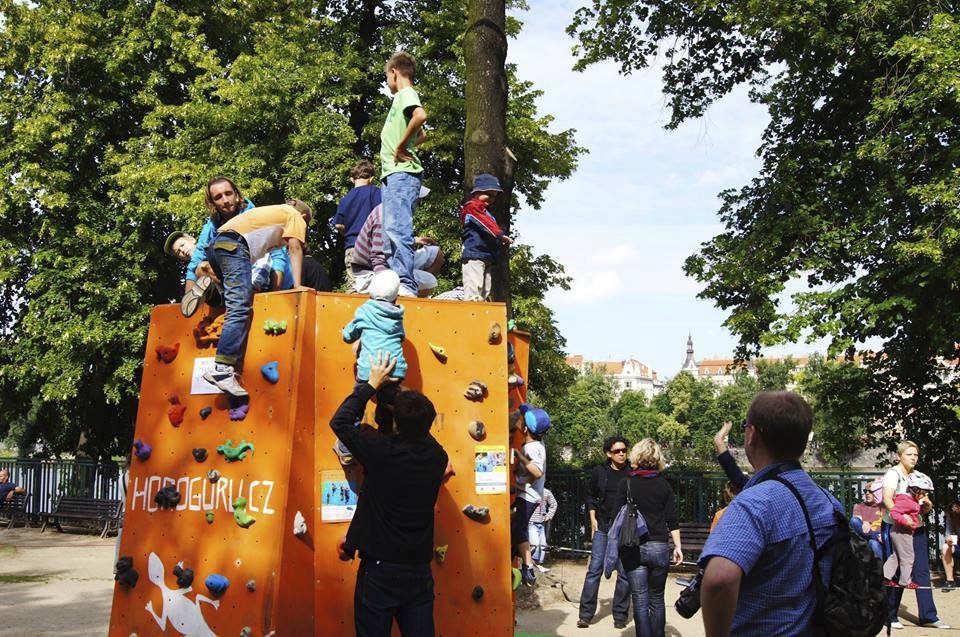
402 173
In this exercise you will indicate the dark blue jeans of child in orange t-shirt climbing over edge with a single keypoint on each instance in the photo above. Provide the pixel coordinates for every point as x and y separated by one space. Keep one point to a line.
230 258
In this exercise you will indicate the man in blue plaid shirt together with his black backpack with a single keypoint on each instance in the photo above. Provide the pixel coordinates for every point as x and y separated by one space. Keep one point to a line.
779 559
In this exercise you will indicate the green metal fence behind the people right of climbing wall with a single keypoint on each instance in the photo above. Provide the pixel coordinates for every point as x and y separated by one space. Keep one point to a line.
699 495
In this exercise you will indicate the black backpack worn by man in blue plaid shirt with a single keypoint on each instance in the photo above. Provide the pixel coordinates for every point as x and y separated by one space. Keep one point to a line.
854 603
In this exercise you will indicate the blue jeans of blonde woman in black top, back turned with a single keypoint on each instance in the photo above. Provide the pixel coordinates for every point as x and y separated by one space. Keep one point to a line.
647 579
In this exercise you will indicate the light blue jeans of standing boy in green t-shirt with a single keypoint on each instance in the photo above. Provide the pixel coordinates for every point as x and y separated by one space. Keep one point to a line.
400 194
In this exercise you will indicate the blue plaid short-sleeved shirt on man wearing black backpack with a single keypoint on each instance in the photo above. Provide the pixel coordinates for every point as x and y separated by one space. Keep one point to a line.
764 532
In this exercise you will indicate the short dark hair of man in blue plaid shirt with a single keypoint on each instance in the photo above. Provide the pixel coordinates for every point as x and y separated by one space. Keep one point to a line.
783 420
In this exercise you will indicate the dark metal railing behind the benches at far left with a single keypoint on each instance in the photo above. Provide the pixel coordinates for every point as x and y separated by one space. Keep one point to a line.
45 480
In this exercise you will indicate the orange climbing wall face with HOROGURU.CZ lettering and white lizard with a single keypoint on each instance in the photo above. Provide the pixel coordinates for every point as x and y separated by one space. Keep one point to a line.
275 481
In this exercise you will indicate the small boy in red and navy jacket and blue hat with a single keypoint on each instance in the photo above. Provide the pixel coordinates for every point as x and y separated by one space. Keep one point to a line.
481 238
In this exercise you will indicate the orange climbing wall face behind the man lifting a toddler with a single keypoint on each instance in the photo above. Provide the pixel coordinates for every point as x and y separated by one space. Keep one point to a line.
479 554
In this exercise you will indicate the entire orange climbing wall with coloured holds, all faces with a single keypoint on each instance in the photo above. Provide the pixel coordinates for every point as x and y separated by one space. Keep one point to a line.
289 425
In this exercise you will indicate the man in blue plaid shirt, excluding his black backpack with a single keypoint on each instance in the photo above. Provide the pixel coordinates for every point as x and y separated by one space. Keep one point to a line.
759 562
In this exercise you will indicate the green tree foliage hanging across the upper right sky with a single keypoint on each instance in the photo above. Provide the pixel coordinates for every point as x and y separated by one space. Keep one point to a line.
858 192
